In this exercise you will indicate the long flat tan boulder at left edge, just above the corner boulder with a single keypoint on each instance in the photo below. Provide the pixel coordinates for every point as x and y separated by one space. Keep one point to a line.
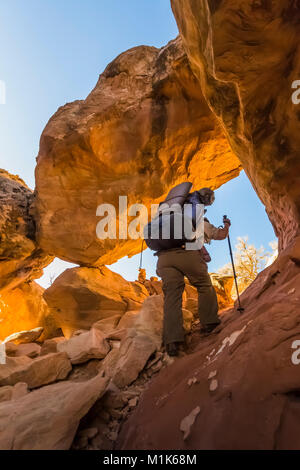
35 372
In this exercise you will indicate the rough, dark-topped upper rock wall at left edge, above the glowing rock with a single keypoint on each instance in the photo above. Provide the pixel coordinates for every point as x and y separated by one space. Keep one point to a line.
20 258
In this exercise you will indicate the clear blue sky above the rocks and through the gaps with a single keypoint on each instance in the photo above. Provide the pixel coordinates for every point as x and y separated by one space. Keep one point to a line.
52 52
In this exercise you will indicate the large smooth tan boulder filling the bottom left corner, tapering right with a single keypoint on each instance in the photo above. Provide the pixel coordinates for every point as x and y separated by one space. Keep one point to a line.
57 410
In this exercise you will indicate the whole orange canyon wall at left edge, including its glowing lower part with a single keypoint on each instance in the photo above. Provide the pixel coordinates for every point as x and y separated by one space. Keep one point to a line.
21 261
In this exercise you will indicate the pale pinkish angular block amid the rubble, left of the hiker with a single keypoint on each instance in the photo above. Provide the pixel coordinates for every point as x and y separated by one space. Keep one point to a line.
82 348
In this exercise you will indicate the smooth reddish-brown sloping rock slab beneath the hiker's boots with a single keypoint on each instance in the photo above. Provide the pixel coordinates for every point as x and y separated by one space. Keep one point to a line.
241 382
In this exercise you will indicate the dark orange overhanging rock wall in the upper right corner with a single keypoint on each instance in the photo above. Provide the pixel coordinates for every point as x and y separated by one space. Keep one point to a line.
246 55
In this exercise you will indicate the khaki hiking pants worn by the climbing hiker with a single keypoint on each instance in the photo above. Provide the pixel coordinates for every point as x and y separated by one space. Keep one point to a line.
172 266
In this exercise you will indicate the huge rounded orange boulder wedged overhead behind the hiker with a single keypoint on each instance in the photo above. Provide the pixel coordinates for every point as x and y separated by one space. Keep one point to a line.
144 128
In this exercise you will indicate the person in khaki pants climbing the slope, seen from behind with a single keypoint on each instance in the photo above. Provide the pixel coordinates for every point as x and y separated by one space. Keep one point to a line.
176 262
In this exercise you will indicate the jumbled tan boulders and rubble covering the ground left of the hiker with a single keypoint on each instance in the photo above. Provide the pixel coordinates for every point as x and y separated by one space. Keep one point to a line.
98 375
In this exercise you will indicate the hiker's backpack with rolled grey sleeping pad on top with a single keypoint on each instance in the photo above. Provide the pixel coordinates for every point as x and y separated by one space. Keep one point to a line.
154 230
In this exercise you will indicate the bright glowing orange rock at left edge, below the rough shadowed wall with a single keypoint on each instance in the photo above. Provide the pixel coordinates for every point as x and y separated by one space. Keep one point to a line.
24 308
